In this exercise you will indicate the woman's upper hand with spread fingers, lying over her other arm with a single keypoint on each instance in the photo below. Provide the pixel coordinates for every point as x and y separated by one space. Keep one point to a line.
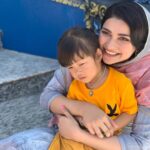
97 122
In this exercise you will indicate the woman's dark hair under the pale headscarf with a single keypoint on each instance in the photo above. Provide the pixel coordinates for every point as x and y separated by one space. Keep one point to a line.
134 16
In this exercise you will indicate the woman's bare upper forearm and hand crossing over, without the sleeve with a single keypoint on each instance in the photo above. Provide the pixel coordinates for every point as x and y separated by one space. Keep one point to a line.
93 118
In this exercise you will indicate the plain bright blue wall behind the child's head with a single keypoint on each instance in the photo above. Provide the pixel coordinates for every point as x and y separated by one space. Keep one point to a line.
34 26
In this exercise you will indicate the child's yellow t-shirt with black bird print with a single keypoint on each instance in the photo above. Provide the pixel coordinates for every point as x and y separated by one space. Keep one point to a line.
115 96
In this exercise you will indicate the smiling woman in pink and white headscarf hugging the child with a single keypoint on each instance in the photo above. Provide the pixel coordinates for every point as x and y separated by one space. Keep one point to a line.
124 40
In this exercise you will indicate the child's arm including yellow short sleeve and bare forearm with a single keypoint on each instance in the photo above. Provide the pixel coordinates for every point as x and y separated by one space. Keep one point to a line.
128 105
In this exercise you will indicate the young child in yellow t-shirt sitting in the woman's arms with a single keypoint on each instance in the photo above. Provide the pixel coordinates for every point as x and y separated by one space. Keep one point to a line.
94 82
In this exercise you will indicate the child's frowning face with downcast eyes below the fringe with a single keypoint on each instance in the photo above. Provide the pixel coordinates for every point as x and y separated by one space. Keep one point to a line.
85 69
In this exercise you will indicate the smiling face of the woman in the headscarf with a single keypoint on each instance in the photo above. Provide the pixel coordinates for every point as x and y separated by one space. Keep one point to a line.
115 41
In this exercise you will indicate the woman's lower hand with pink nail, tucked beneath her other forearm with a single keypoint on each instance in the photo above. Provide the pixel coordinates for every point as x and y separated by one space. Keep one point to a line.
68 126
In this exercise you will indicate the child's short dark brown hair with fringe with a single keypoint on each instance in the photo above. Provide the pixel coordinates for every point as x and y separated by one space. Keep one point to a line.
76 41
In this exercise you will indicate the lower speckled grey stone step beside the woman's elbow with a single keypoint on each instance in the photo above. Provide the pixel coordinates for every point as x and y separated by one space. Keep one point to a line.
20 114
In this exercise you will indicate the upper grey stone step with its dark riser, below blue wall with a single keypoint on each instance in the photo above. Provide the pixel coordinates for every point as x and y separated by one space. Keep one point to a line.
23 74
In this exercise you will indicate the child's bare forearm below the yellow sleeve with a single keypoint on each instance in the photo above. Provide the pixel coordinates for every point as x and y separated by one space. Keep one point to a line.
123 119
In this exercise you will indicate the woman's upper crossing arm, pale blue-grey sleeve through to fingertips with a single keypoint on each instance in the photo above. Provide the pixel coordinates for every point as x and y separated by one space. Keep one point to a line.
52 98
